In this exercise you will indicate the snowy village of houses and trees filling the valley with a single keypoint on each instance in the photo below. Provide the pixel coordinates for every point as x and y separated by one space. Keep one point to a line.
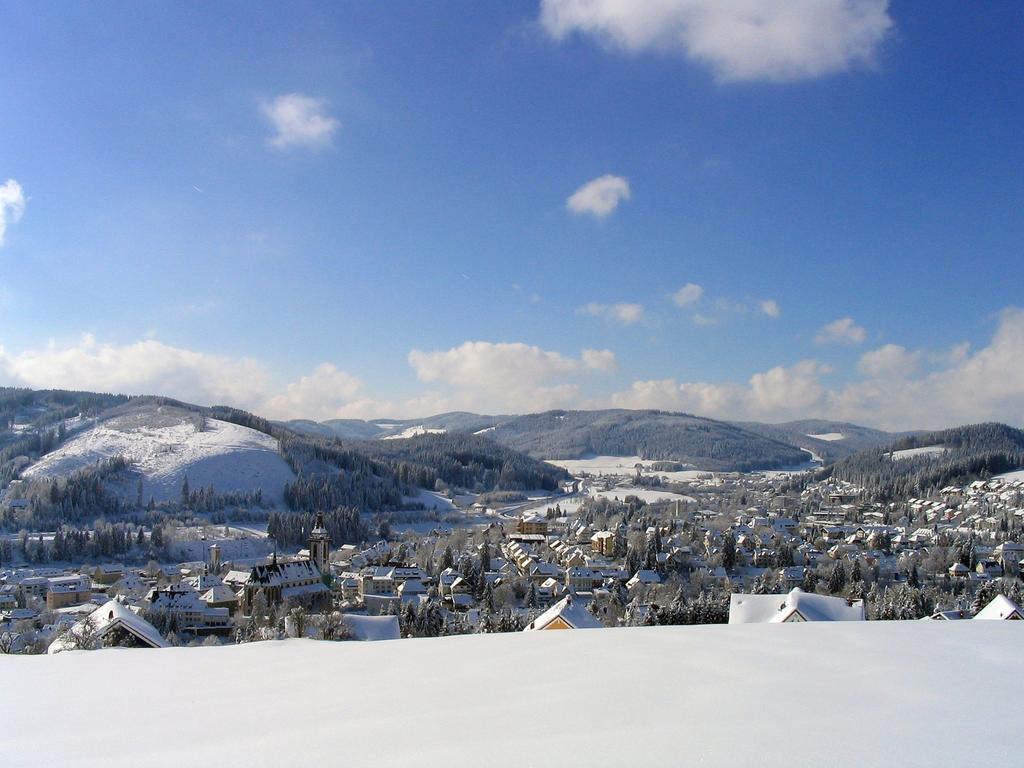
713 548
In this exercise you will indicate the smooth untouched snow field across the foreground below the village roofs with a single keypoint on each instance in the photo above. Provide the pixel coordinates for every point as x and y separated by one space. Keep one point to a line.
839 695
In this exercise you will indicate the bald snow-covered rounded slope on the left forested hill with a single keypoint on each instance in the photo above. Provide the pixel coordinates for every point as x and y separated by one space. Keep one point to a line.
166 444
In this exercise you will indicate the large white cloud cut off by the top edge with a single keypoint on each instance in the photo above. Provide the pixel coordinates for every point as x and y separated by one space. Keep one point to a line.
740 40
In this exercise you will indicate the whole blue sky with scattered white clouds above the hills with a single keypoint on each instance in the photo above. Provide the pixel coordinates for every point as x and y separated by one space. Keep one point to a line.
382 209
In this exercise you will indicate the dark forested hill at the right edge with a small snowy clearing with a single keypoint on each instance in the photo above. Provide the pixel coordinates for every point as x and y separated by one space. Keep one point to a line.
925 463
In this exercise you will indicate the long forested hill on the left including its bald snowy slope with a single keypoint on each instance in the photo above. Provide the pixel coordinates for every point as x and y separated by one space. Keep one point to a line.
78 456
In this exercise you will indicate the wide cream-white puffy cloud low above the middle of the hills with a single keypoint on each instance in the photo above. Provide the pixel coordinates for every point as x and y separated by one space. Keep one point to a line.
508 377
